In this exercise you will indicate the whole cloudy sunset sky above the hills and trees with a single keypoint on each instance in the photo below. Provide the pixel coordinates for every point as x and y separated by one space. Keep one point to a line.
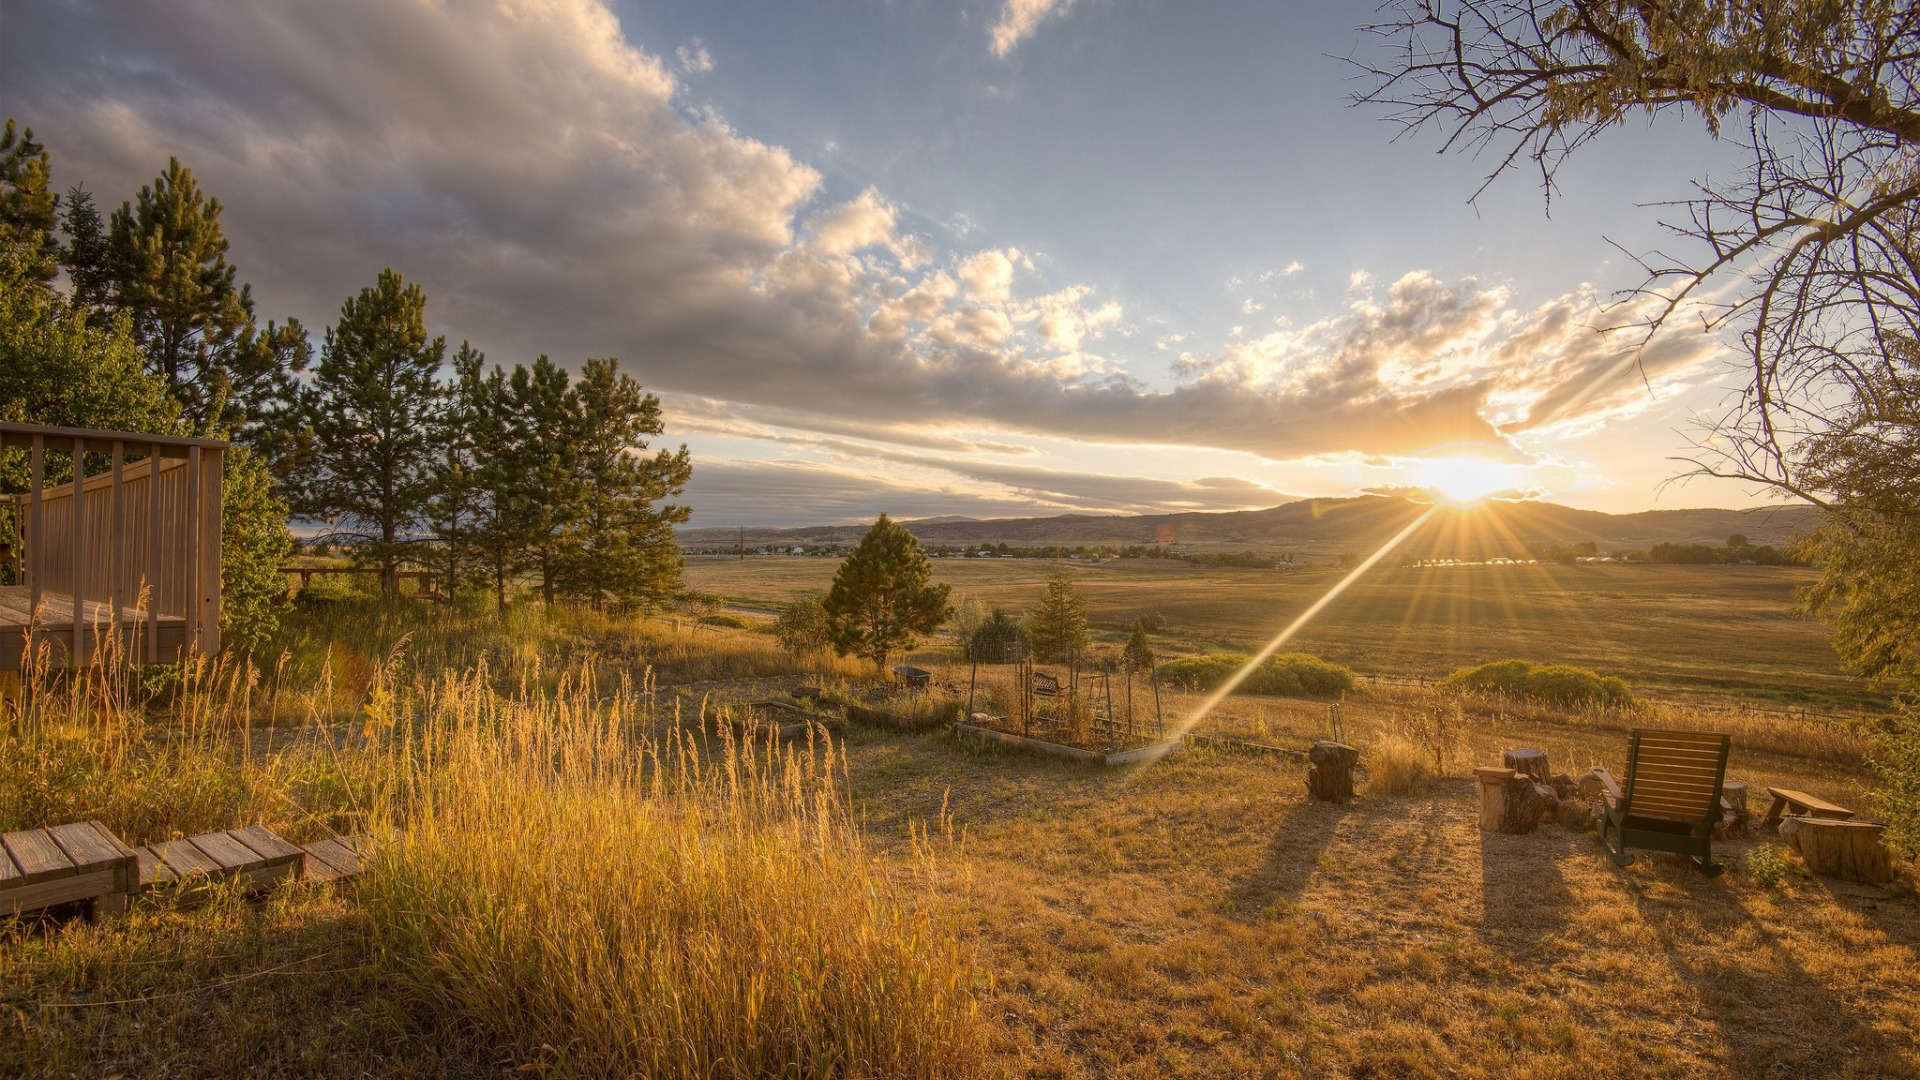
928 258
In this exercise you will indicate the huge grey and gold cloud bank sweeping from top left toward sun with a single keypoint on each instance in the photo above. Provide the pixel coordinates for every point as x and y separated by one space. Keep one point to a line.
552 189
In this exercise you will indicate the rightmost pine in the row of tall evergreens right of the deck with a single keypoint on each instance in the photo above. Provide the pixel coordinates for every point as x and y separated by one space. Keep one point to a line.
623 549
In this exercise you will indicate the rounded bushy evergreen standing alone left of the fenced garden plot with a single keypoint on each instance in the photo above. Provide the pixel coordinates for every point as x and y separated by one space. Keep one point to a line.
884 595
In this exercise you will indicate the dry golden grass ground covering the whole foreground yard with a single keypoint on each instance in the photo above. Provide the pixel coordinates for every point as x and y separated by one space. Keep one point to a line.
1188 920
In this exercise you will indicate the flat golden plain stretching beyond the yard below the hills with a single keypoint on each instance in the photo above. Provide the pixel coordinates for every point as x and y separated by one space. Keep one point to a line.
1664 629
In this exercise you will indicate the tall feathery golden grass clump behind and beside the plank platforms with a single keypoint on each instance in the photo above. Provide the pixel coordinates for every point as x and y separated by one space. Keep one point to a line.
564 875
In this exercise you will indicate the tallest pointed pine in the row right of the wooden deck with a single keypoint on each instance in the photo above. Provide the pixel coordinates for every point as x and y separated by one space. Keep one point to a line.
375 416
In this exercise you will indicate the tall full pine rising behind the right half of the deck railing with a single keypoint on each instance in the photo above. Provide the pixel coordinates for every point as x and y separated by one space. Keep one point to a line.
168 268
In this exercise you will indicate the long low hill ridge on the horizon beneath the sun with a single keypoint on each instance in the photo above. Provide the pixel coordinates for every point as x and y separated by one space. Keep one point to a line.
1330 528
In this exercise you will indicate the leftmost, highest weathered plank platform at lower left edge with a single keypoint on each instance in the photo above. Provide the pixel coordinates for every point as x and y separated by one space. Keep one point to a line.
66 864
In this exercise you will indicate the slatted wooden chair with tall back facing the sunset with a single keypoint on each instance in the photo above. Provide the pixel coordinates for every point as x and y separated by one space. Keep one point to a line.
1671 798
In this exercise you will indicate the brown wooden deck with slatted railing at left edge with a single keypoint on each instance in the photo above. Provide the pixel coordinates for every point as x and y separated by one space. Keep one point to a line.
133 551
